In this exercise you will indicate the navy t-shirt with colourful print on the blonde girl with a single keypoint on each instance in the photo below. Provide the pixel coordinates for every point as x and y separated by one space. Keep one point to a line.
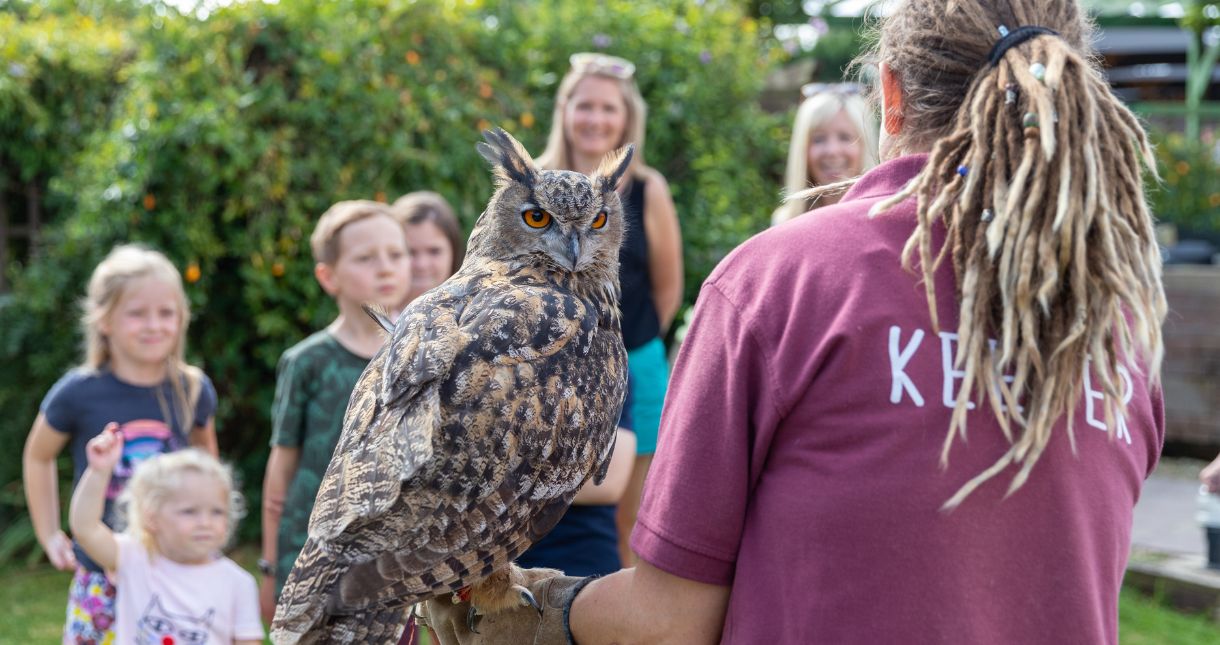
84 402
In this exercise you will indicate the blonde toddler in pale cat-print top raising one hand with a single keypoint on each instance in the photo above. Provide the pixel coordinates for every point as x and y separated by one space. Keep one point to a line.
174 583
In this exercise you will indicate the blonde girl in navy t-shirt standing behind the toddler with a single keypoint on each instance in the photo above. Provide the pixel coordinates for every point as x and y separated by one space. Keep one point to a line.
136 318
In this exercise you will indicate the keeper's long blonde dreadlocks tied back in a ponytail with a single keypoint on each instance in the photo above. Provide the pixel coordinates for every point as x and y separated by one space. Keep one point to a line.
1036 176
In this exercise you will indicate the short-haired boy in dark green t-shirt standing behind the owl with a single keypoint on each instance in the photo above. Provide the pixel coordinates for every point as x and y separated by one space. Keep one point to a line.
362 258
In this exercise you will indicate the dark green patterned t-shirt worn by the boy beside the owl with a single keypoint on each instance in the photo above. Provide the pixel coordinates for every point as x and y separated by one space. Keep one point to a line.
313 390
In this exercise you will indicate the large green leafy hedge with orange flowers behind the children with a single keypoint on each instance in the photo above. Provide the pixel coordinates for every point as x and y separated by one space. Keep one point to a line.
231 136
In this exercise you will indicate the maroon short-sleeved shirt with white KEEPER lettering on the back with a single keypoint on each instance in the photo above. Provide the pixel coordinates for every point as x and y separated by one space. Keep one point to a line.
801 447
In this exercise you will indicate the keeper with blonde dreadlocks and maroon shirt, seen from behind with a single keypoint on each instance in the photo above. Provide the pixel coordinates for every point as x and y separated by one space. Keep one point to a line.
814 482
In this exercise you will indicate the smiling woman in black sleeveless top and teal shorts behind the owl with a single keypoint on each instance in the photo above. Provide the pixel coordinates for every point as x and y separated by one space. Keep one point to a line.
598 109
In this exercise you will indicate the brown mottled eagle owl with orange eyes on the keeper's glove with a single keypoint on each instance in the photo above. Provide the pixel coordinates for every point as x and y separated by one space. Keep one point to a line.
470 432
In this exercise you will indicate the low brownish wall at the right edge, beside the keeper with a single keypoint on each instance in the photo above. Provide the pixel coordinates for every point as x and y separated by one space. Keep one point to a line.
1193 355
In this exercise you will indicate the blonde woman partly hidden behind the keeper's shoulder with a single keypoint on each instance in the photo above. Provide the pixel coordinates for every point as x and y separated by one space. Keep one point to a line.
834 138
